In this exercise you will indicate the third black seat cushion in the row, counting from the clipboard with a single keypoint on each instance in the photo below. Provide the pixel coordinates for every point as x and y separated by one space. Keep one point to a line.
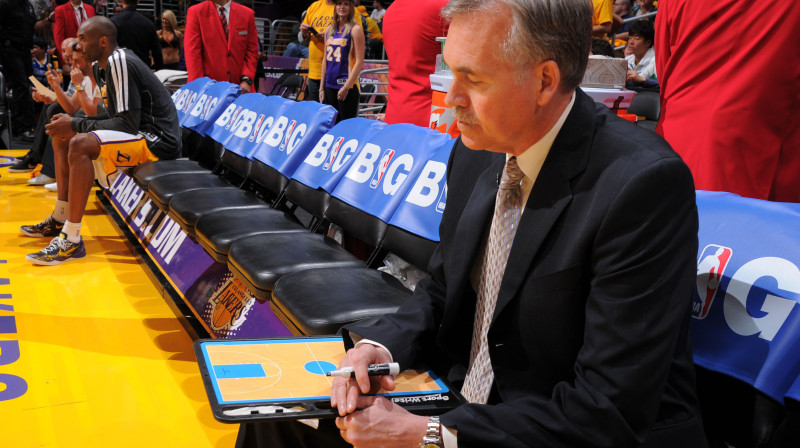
217 230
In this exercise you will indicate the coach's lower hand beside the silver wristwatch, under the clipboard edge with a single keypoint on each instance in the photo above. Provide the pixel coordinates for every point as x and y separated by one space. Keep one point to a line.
381 423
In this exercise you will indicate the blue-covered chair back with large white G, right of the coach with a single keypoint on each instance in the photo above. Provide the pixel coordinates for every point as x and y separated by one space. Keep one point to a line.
745 314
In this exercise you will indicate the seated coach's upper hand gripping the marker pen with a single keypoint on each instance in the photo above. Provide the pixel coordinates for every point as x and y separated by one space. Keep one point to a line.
345 391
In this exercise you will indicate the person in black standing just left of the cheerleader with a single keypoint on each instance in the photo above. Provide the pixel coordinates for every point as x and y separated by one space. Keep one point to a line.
138 34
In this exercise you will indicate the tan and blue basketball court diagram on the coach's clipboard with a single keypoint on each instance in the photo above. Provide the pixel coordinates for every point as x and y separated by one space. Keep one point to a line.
282 370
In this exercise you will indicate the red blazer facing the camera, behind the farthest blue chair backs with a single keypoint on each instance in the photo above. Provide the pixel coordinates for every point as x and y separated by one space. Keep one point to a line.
208 53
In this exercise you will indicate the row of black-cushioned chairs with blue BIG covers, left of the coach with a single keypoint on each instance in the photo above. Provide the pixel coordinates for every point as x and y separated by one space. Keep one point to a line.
280 159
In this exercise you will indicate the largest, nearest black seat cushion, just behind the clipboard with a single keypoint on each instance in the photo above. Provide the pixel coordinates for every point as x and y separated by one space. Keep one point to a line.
321 301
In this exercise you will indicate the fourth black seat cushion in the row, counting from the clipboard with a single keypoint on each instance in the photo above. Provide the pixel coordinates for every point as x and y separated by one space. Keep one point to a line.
187 207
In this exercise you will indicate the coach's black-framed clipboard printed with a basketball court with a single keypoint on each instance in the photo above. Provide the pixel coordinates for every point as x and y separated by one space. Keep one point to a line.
276 379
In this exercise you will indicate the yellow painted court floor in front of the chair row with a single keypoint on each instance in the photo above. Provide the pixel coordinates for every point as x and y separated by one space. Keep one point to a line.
105 360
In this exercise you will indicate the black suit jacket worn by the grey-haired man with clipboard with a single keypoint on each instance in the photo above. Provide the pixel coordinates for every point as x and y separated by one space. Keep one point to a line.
590 338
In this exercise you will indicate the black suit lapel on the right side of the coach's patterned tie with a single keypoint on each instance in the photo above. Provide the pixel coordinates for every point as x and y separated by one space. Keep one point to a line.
550 195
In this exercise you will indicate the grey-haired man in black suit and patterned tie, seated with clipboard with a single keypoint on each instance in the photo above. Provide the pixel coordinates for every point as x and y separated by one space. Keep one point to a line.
567 292
